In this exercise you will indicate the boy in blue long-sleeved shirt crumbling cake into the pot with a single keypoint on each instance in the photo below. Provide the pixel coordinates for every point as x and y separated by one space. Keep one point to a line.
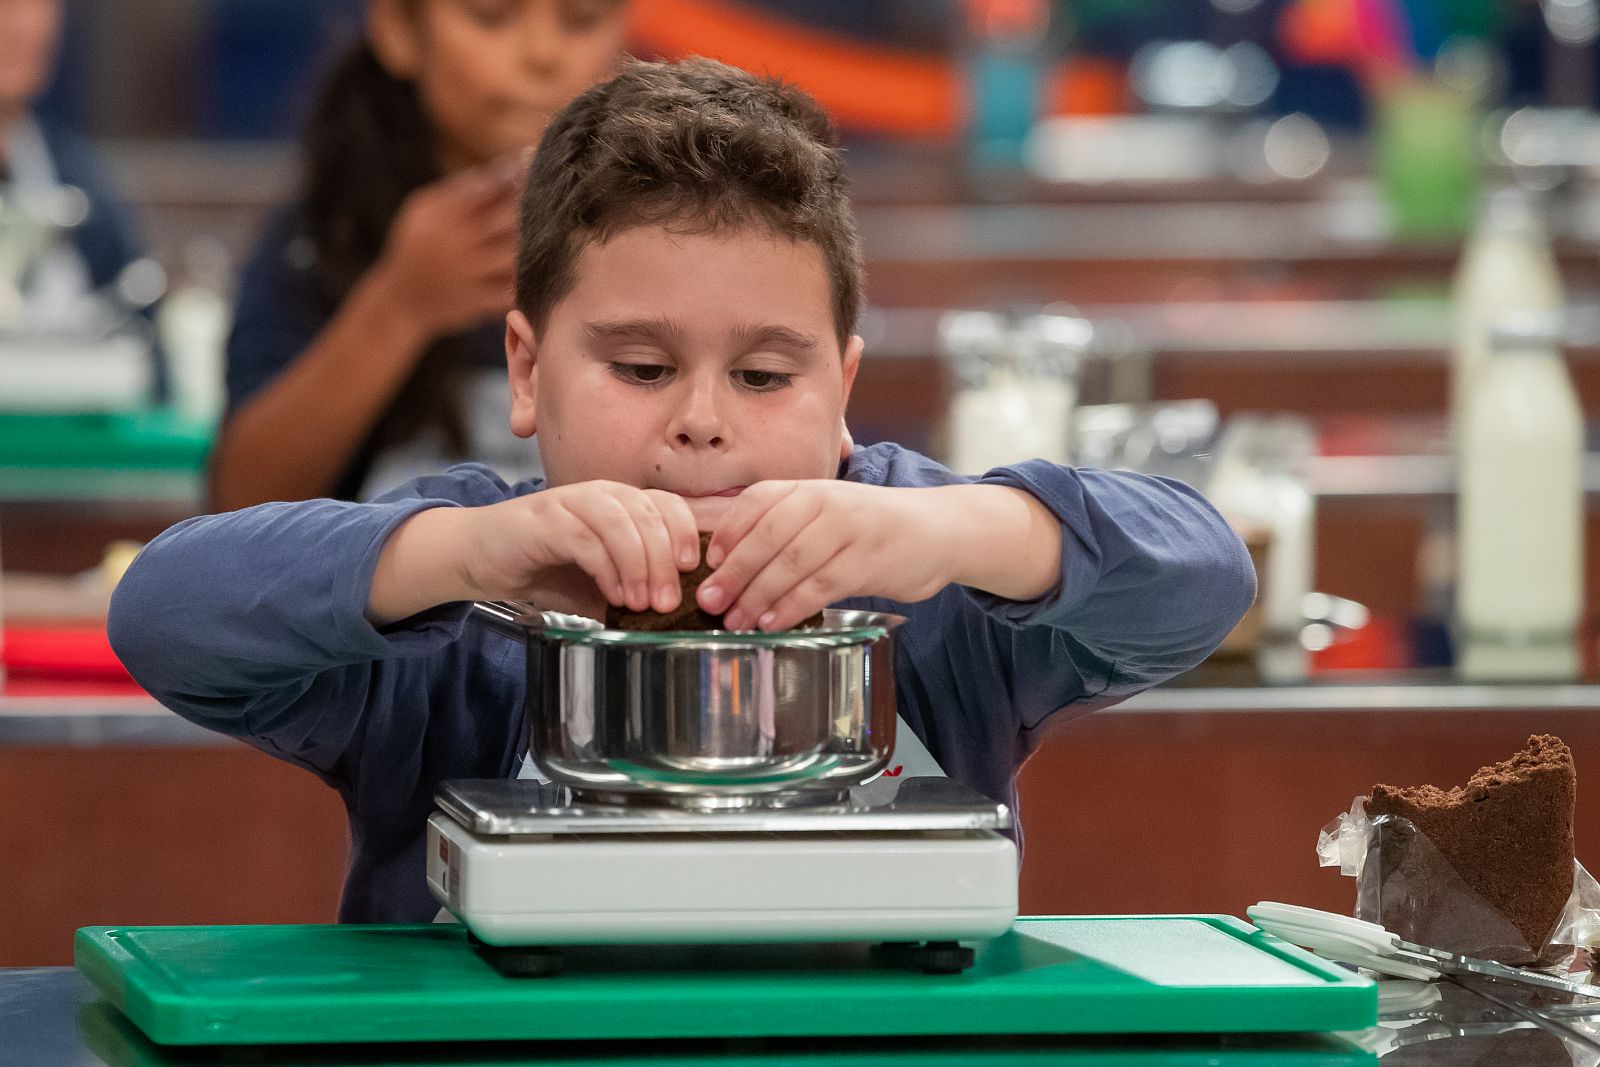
689 281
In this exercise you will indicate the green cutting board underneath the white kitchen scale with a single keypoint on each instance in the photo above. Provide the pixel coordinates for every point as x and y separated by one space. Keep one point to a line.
1082 975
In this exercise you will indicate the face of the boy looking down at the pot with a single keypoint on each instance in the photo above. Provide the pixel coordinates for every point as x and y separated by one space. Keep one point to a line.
692 364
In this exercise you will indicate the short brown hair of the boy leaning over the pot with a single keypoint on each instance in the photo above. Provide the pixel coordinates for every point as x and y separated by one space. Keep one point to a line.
698 146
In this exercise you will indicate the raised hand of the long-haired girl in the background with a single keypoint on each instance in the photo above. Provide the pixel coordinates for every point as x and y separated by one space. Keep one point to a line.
450 257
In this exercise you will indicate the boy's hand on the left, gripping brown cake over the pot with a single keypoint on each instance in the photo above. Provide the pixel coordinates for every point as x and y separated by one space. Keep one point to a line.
631 543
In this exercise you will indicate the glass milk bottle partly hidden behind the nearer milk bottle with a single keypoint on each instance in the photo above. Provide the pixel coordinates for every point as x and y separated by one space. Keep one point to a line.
1505 270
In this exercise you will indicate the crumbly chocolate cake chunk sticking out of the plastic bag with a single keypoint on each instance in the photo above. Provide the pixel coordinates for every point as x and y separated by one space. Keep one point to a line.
1508 833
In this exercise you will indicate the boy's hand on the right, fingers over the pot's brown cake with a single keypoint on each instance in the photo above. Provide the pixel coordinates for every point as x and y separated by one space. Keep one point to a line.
785 551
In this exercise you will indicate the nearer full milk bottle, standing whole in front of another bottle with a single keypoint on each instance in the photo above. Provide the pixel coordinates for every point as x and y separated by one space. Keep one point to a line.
1521 510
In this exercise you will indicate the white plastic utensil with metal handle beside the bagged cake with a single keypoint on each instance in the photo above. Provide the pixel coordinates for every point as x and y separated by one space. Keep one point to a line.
1375 948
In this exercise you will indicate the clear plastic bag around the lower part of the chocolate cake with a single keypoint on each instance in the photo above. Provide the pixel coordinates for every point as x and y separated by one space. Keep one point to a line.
1407 885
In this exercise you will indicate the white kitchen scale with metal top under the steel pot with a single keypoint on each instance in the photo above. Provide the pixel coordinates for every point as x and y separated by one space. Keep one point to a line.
529 871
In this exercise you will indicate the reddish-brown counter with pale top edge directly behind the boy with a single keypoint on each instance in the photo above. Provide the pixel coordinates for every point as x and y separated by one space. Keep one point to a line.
1178 801
